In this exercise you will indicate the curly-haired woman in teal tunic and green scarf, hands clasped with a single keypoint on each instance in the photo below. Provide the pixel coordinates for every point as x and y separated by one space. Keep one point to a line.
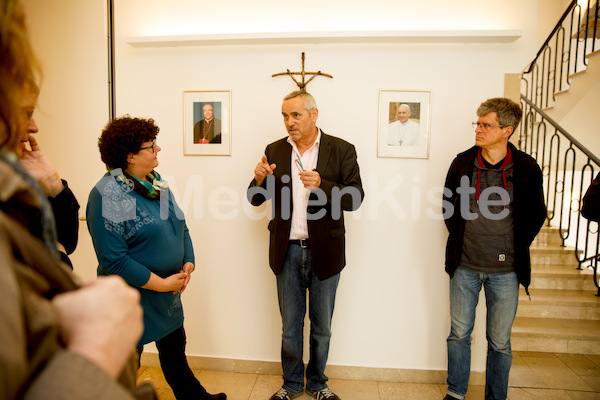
140 233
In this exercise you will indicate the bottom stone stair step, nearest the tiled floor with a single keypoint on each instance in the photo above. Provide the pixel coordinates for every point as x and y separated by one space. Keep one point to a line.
556 335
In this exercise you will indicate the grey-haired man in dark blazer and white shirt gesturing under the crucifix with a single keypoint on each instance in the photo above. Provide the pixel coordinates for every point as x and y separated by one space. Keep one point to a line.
311 178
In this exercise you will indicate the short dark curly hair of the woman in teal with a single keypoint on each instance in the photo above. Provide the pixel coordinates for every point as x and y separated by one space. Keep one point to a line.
123 136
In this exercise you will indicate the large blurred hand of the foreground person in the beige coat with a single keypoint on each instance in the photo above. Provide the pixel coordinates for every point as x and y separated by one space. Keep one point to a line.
102 321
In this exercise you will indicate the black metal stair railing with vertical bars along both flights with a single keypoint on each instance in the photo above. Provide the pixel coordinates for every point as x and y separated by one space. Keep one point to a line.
568 167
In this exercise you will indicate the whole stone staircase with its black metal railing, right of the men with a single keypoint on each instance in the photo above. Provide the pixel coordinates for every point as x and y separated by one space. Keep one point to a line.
561 86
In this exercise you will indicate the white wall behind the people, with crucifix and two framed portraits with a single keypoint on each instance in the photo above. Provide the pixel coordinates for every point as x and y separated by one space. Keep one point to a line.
392 304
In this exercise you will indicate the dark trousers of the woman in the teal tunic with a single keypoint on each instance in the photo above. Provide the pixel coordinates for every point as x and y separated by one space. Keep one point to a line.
171 353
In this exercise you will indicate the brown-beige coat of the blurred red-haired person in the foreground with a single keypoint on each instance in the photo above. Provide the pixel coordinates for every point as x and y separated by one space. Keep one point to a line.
34 362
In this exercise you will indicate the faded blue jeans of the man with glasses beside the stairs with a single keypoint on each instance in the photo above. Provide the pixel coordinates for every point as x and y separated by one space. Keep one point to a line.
501 298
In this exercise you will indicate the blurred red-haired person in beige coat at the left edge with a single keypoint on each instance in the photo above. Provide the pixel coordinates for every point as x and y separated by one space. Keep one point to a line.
59 340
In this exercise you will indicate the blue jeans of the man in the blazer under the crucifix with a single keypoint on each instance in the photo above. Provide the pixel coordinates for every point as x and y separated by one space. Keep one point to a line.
294 279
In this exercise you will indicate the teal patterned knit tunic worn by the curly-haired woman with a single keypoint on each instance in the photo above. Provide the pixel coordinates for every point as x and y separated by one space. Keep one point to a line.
132 239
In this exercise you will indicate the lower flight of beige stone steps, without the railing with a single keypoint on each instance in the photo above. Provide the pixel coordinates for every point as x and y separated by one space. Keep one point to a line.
563 315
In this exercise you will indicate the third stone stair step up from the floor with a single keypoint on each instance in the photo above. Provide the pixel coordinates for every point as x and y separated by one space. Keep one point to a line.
561 277
